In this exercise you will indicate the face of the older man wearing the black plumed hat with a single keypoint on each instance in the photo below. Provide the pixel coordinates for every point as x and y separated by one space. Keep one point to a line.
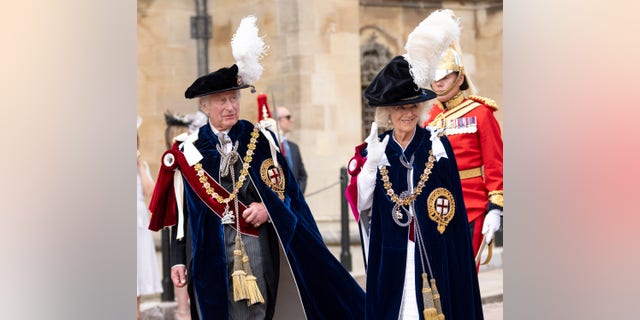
222 108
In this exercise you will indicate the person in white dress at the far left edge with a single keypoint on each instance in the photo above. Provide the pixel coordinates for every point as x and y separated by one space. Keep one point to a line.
149 281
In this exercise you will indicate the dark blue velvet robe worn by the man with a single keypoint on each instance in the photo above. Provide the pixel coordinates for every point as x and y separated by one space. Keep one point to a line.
326 288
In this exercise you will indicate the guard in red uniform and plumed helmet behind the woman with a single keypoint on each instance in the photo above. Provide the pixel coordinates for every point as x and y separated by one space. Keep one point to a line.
470 125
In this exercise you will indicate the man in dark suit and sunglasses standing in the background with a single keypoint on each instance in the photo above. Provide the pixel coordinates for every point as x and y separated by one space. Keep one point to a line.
289 149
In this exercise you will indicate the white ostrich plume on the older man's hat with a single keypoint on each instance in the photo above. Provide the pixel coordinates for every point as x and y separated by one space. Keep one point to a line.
248 49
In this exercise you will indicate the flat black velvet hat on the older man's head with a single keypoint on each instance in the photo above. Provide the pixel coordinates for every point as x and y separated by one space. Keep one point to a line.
225 79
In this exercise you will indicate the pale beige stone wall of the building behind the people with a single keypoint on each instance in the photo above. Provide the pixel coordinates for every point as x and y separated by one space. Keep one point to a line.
312 67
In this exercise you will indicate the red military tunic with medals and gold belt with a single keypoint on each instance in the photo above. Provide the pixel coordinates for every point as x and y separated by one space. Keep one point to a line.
475 136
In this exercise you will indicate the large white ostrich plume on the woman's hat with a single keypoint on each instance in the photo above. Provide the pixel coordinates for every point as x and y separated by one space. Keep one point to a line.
427 43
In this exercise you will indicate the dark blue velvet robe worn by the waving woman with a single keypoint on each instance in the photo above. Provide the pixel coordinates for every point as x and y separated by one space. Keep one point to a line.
450 253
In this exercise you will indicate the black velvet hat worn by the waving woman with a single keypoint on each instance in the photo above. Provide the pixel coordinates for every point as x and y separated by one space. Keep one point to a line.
394 86
